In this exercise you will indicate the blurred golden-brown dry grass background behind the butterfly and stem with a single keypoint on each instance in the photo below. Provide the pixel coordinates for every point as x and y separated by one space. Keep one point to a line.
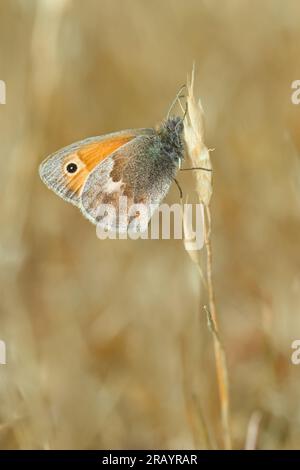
107 342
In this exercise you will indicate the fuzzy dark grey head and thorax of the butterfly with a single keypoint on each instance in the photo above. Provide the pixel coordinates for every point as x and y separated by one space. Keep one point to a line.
170 133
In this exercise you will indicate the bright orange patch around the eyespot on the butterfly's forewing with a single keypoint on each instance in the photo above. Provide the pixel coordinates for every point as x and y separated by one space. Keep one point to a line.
87 157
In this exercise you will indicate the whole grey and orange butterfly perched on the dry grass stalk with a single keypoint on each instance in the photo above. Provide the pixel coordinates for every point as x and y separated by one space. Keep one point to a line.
138 164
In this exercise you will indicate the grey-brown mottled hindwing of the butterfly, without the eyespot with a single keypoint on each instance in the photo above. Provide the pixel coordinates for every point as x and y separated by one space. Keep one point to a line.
123 191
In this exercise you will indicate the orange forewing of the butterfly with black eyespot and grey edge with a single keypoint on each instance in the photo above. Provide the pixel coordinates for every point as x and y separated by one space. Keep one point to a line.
84 155
